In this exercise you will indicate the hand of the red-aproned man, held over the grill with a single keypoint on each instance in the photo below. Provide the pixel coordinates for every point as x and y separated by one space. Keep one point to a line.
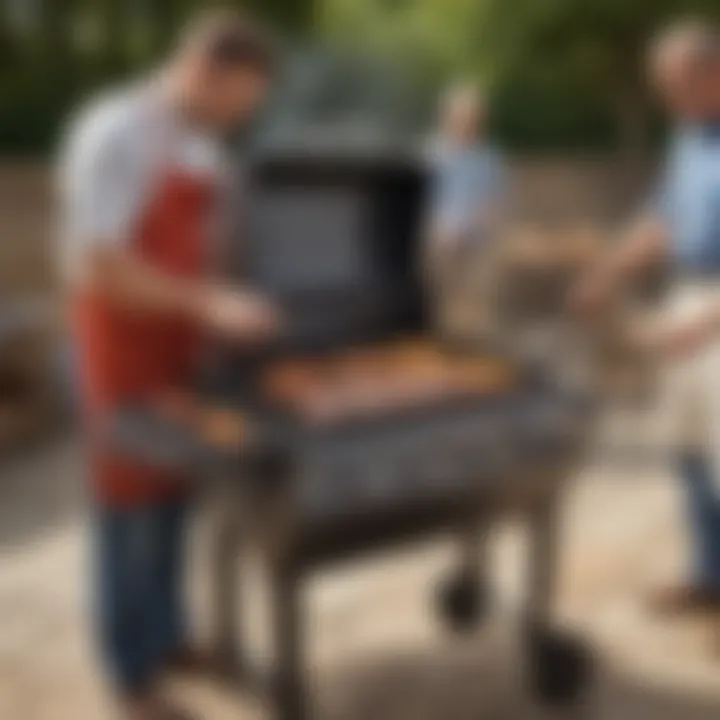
239 315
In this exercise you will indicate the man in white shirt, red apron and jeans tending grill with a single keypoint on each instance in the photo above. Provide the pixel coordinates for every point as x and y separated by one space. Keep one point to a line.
141 176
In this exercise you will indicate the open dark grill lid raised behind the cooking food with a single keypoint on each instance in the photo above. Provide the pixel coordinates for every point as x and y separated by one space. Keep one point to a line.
334 237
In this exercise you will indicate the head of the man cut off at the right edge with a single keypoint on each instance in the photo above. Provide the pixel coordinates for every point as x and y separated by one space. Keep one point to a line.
685 69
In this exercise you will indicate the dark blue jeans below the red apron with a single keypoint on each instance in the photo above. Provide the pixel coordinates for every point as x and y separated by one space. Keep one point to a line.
139 573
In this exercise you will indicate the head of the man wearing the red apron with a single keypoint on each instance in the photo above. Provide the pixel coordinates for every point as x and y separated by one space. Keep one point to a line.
222 68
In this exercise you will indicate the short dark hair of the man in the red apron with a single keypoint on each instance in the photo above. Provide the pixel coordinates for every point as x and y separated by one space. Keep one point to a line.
232 39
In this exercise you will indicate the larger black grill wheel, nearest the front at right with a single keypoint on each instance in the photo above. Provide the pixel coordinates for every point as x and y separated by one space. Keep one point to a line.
560 667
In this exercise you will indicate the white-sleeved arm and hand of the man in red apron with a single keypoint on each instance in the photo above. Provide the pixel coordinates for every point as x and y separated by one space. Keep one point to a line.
107 180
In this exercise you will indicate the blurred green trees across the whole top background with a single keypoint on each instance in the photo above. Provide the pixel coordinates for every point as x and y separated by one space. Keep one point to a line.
563 72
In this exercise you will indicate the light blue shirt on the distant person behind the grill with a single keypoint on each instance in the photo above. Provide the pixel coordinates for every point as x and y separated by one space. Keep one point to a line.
467 182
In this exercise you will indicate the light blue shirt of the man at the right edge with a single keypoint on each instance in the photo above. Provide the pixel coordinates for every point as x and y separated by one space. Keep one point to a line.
689 198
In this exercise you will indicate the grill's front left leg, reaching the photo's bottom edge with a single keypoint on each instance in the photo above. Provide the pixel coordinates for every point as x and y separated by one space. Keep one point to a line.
290 693
